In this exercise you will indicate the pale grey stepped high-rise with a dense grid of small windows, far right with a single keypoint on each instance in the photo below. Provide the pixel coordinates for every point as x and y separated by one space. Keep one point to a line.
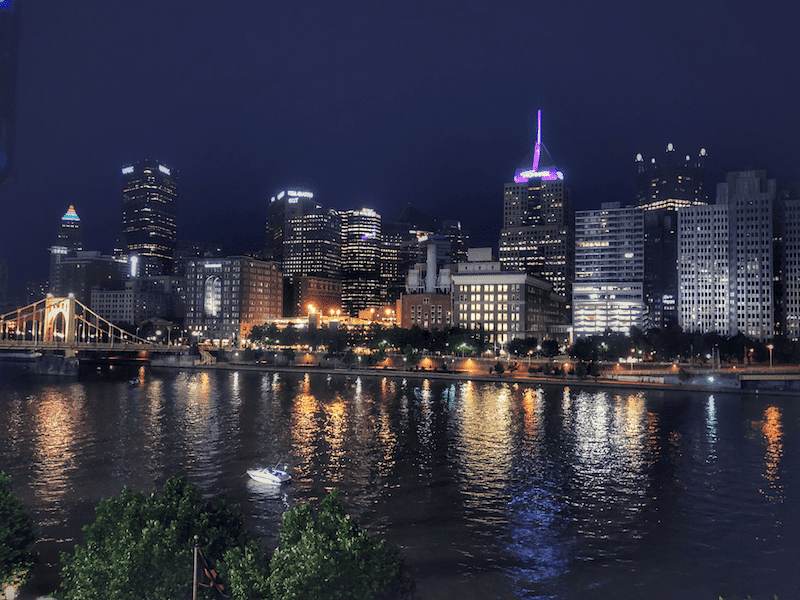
726 267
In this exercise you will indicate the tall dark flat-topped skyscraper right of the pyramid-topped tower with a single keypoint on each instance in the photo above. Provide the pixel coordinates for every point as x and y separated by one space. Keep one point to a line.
149 207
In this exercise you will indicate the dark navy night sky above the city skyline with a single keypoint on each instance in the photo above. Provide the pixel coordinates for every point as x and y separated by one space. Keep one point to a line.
381 104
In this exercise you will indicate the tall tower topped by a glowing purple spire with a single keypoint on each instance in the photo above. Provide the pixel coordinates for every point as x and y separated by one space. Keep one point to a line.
538 233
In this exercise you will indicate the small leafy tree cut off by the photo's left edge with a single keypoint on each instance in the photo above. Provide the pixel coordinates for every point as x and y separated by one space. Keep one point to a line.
17 537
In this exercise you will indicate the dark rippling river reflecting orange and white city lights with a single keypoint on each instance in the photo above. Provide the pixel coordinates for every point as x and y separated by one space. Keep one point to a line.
492 490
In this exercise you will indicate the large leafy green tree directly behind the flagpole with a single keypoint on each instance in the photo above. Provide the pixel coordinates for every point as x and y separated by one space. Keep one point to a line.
141 546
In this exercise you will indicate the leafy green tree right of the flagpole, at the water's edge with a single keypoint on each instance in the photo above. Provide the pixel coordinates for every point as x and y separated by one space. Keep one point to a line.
326 556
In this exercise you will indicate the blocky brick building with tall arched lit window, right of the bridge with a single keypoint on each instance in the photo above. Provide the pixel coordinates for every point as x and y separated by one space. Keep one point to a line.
227 297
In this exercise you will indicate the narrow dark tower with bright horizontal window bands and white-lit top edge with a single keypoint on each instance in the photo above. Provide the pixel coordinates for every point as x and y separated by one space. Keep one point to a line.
361 254
